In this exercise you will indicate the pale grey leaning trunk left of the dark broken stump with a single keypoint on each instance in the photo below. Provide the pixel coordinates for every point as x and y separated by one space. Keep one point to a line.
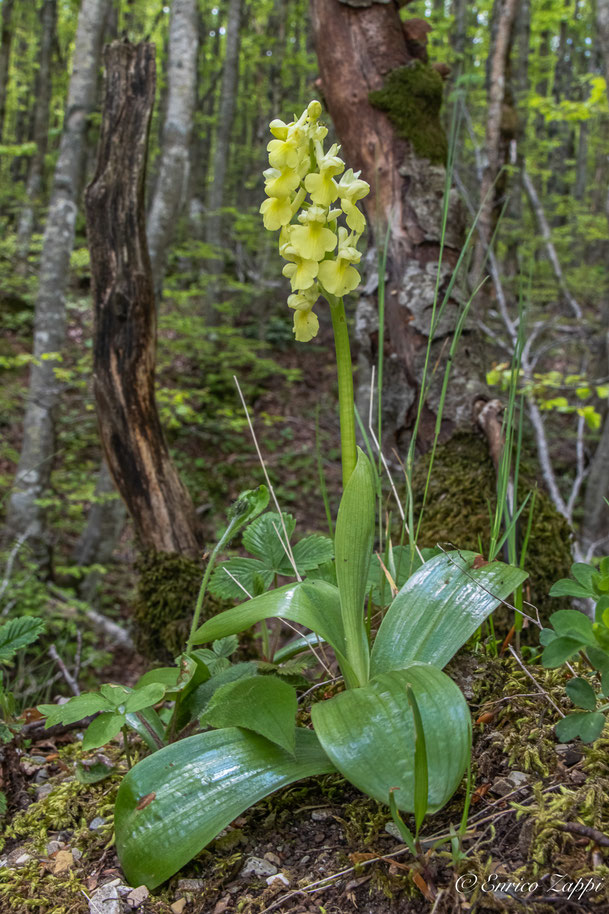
38 447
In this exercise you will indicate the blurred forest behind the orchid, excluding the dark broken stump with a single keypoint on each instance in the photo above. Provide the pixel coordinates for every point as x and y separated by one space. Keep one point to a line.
524 90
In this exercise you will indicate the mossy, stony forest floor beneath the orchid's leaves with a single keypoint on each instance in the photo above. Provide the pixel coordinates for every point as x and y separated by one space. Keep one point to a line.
539 810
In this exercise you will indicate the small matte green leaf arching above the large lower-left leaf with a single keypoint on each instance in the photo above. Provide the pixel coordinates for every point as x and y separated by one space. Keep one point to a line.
263 704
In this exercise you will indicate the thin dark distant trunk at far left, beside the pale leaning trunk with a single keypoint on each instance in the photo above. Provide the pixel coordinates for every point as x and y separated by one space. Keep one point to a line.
41 127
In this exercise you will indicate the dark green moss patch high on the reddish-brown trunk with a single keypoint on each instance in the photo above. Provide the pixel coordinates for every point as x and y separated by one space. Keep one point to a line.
412 97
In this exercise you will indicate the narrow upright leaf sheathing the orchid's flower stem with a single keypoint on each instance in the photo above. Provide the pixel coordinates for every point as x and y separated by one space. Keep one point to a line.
353 543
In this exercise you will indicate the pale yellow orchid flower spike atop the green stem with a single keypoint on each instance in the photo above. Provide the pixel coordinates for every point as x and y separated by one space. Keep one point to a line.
320 251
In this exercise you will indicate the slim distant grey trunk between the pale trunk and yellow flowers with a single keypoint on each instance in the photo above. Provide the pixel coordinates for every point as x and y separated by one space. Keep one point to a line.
226 114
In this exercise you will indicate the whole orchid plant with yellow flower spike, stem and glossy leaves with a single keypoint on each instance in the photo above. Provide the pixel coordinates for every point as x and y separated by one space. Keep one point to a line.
398 728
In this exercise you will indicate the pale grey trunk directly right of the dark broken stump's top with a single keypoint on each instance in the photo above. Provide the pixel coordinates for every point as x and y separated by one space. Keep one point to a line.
172 181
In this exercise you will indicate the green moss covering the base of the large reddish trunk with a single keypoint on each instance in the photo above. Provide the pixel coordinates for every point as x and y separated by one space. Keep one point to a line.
461 498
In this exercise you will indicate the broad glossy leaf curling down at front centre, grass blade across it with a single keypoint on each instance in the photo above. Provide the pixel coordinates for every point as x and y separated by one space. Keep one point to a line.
369 734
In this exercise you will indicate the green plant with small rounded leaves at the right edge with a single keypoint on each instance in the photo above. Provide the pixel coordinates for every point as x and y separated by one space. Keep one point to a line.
573 633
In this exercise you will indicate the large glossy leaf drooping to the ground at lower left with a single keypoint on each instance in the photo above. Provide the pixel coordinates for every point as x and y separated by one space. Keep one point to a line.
199 785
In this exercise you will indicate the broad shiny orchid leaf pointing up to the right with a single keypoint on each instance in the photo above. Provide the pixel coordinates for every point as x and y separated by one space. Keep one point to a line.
439 608
